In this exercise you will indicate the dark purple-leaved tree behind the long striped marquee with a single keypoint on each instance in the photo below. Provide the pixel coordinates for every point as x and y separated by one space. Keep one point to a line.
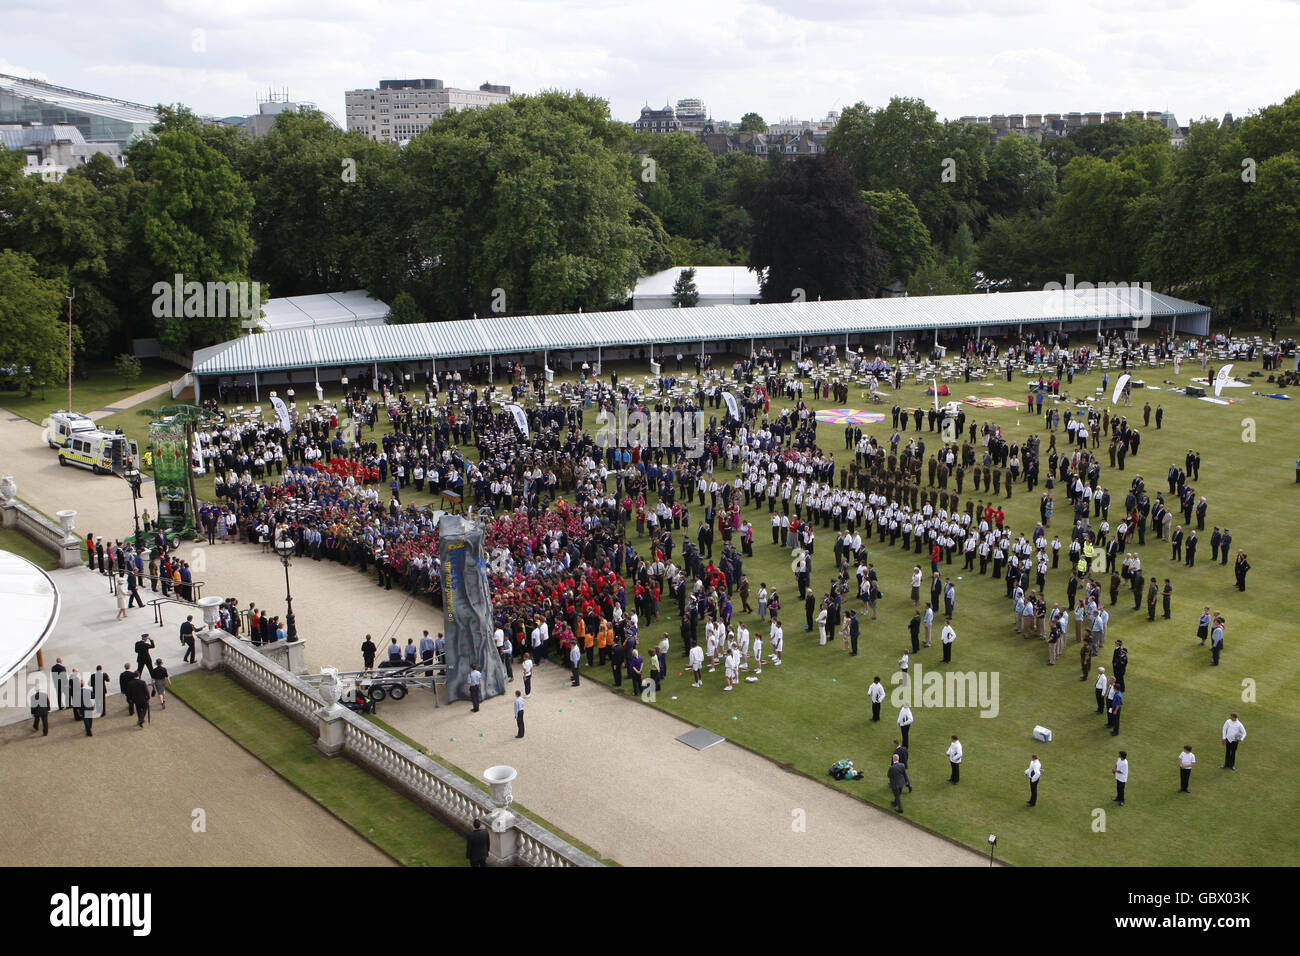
814 232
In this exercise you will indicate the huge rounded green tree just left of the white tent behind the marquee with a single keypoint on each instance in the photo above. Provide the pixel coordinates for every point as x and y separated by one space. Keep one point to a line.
531 198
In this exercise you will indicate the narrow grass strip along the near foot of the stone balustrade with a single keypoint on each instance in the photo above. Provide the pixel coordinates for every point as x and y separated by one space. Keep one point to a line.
379 814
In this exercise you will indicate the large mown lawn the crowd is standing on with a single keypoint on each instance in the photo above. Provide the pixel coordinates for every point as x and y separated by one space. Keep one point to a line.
814 710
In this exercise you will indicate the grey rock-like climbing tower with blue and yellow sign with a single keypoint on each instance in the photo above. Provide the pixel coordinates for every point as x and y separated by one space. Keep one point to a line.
467 609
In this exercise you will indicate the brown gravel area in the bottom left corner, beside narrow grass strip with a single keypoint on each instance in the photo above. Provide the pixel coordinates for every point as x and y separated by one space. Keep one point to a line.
129 798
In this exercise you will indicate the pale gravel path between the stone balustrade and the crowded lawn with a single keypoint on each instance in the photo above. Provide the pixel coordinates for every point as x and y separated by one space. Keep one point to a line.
636 797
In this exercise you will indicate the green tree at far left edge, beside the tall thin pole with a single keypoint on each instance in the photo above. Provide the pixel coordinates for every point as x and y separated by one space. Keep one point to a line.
34 345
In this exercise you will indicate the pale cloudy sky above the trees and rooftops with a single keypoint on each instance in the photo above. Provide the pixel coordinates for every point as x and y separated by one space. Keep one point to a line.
782 59
